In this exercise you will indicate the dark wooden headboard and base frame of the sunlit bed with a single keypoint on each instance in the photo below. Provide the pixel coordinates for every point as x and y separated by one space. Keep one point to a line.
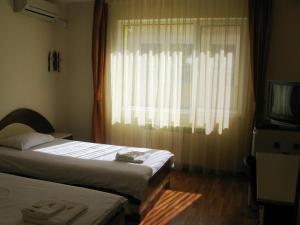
157 183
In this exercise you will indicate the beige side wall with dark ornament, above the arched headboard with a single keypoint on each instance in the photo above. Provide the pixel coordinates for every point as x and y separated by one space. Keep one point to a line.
24 79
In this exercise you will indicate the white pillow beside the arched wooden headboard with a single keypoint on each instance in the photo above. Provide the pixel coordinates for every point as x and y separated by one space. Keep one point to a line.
26 141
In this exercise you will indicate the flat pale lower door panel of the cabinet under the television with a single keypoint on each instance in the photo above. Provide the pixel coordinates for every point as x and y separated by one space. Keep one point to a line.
277 177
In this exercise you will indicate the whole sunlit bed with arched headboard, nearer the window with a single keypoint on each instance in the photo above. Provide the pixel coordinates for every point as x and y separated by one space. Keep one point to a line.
87 165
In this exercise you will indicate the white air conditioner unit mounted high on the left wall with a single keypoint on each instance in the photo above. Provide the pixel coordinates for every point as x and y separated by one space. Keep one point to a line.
40 8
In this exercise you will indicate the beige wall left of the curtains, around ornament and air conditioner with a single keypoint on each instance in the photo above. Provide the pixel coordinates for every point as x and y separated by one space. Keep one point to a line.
65 98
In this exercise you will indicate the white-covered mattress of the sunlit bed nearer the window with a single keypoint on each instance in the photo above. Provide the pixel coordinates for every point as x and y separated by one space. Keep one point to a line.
84 163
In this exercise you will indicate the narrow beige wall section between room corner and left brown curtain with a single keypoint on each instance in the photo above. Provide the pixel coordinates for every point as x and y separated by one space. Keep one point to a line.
76 88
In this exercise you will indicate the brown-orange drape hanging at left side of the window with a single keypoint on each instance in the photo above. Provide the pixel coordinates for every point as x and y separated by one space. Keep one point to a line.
98 62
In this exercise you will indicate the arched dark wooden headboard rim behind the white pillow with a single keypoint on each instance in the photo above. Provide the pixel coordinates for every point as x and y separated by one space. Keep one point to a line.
28 117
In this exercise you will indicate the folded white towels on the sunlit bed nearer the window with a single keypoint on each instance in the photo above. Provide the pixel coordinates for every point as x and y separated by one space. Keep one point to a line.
132 156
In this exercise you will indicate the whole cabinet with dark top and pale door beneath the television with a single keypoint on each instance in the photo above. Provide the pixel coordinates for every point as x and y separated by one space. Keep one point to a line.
277 167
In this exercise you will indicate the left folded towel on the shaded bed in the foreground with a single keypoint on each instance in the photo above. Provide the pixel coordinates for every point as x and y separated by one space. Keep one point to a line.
43 209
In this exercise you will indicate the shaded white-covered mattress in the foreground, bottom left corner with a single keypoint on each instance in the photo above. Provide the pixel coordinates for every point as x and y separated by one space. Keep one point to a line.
19 192
